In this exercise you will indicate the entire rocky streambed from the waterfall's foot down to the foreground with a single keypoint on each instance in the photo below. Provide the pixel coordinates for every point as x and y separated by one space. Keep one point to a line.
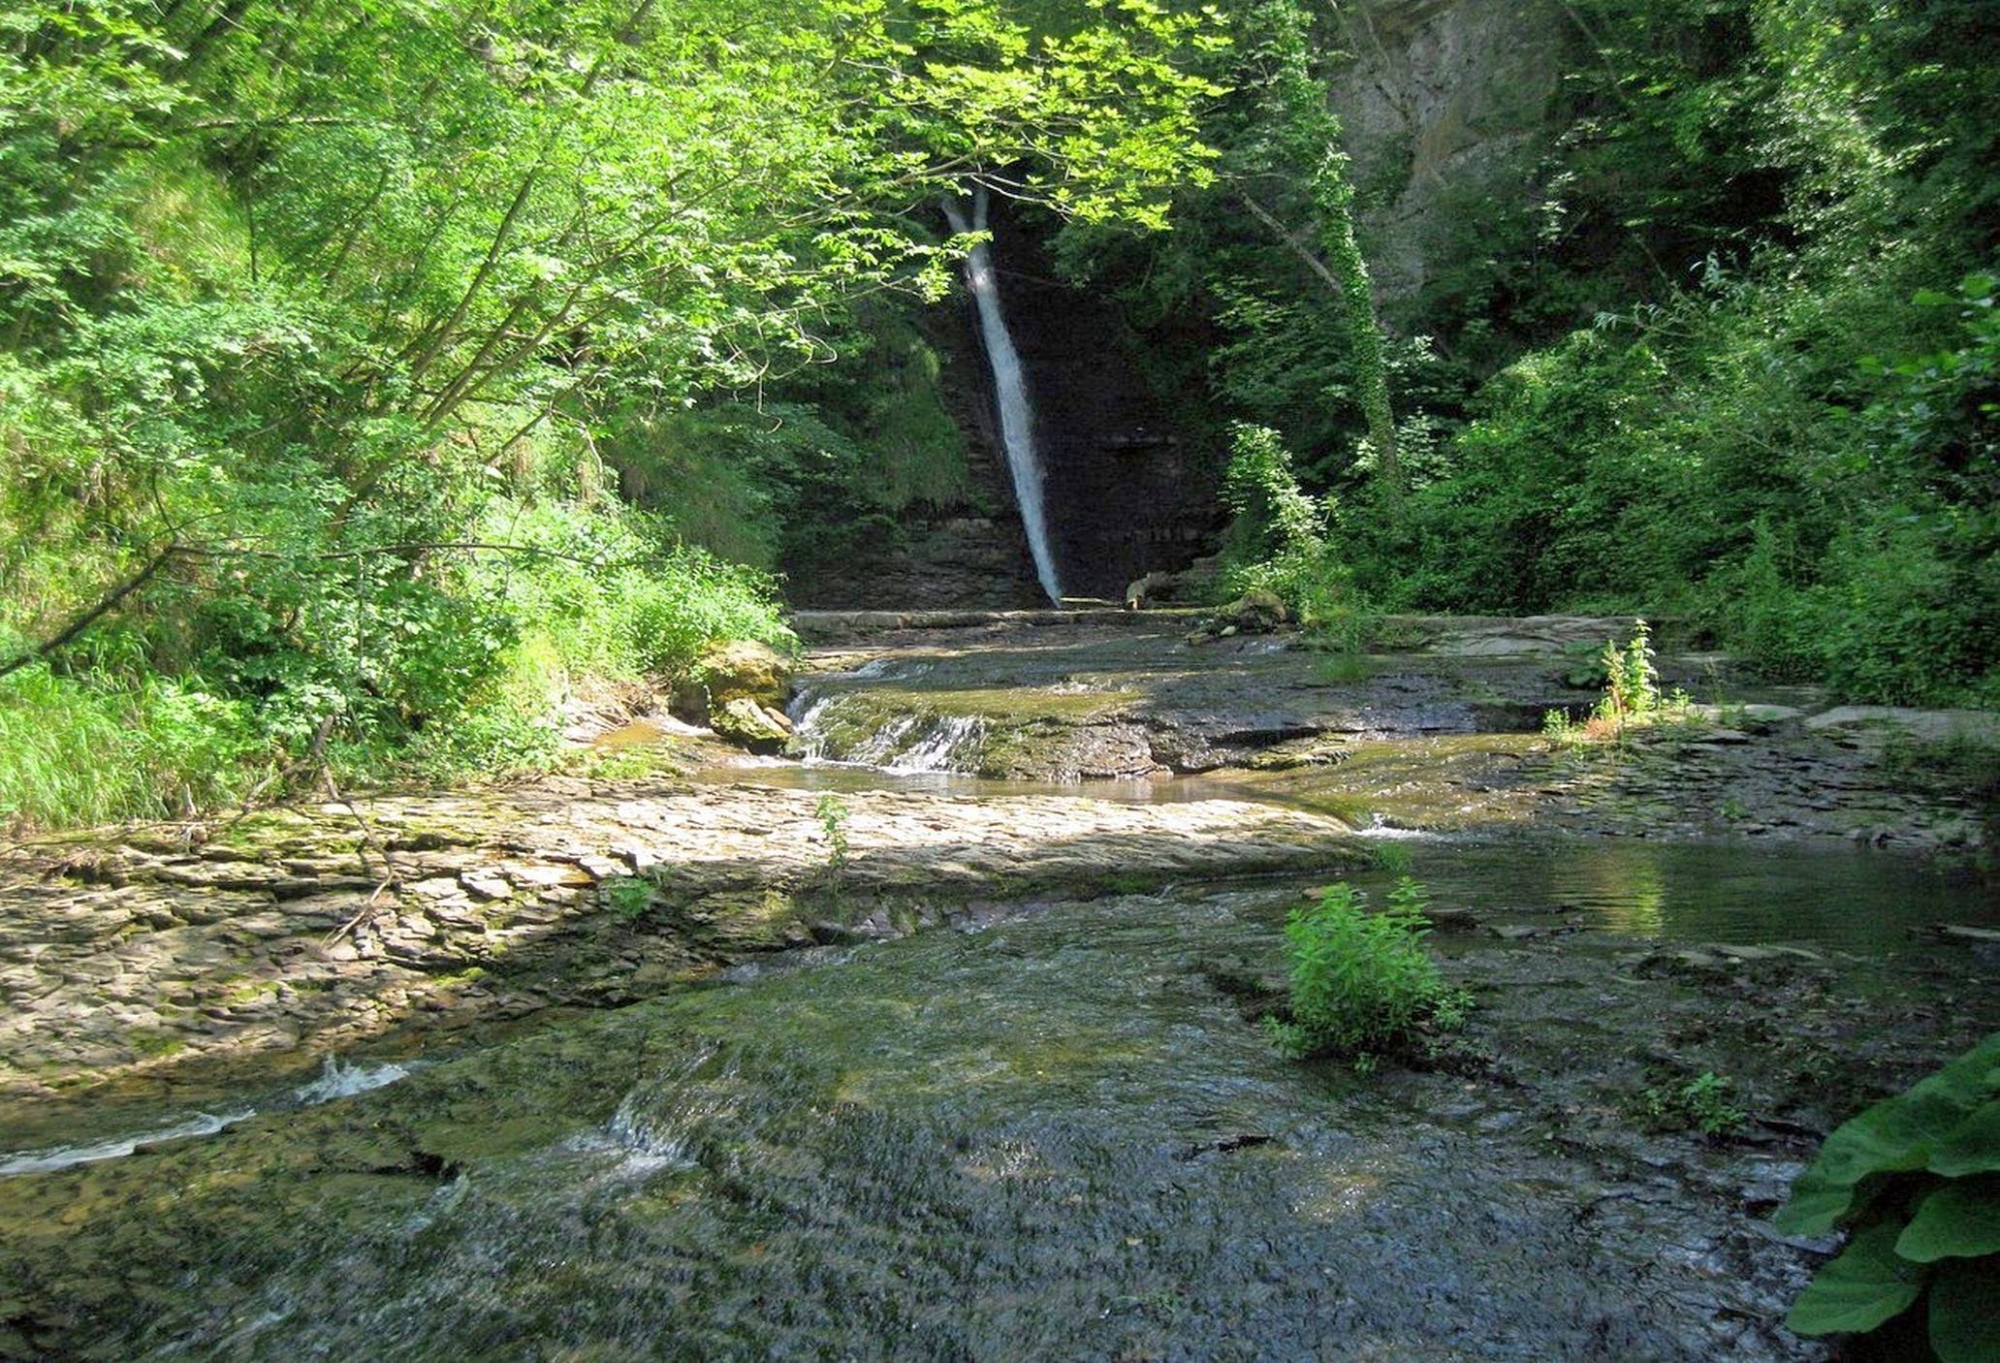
659 1066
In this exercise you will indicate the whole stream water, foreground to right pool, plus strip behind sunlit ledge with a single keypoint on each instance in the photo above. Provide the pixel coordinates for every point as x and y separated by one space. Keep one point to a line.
1045 1130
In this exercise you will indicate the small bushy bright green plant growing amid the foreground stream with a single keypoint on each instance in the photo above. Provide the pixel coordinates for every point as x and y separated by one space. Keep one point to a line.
1361 982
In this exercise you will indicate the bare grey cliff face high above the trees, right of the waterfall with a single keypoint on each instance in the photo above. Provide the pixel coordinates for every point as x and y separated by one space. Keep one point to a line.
1447 107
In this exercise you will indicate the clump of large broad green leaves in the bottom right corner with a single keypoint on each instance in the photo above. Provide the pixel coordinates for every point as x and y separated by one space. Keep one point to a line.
1919 1182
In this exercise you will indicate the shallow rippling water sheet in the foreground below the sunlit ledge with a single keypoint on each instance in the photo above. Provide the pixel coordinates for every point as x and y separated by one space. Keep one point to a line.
1047 1138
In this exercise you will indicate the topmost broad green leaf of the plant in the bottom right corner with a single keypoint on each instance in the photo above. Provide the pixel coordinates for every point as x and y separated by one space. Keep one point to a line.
1895 1136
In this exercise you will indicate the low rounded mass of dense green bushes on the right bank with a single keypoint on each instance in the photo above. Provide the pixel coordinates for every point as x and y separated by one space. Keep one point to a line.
1751 461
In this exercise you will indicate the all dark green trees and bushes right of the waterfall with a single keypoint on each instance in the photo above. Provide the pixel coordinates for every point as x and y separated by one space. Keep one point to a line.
1767 403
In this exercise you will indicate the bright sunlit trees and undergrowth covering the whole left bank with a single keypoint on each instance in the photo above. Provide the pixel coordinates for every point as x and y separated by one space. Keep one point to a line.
319 333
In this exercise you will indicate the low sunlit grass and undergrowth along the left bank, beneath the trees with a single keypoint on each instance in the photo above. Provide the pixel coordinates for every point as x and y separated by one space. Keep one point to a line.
437 677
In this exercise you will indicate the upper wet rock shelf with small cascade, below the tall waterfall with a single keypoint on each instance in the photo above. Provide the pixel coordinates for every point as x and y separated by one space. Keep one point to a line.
1429 724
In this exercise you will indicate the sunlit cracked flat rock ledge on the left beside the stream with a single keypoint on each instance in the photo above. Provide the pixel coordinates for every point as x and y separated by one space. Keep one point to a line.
317 928
